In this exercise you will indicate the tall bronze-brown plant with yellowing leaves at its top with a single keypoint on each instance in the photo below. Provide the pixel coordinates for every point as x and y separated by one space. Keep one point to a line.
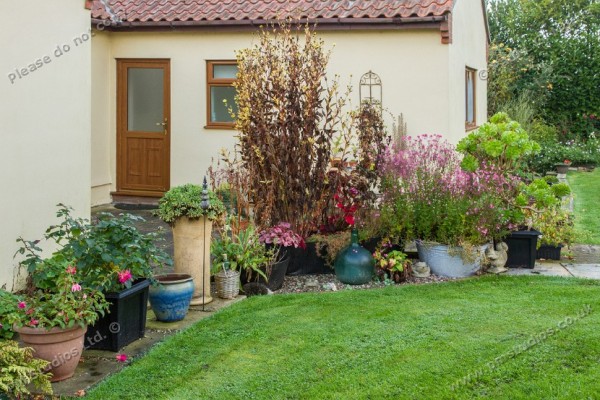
287 117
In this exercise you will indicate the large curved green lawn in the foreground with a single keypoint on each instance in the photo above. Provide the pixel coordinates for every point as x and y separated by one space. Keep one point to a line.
409 342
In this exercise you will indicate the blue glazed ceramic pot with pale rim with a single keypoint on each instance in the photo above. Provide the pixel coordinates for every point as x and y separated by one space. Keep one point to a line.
170 299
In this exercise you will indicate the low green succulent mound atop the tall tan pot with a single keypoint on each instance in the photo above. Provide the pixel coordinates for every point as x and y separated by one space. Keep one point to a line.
185 201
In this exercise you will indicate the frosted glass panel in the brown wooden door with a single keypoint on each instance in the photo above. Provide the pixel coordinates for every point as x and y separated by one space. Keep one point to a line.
145 99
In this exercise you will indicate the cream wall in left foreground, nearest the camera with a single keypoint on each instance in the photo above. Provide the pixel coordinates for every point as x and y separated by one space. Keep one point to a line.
45 153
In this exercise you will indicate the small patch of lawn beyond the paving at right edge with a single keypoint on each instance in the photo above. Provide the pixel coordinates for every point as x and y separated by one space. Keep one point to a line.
586 189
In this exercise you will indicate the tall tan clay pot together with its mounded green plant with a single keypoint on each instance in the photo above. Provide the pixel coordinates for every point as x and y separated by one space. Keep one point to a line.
190 210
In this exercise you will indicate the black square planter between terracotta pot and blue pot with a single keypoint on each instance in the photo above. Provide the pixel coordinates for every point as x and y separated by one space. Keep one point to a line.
126 321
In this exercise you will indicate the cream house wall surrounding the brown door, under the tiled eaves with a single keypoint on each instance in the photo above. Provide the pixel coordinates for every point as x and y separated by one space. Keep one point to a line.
411 64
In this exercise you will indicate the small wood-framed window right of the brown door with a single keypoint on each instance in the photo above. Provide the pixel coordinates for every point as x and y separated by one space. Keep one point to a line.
220 75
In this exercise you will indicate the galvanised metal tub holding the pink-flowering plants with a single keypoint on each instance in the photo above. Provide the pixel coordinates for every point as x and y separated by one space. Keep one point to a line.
451 262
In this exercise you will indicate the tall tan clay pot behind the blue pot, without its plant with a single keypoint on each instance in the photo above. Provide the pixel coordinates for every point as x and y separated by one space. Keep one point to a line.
191 241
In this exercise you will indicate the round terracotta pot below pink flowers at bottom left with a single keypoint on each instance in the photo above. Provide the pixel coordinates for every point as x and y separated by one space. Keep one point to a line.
61 347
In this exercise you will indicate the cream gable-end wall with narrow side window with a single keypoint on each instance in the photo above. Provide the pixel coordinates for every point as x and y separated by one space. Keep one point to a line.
468 48
